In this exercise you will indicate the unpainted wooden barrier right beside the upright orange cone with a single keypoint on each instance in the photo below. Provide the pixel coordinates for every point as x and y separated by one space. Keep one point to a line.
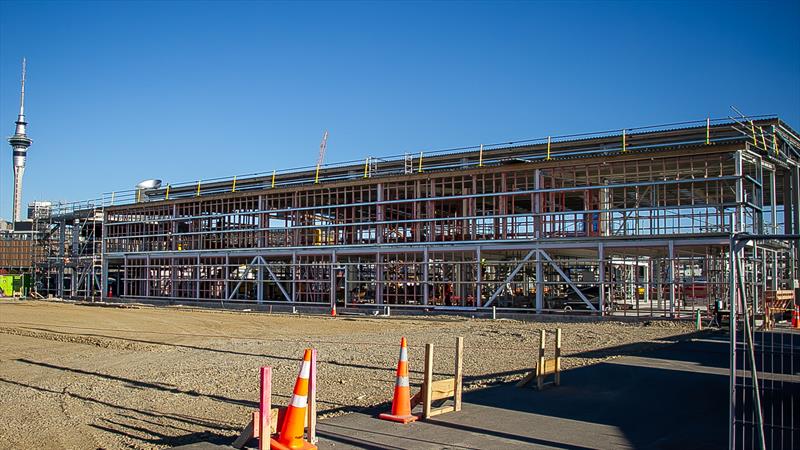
440 390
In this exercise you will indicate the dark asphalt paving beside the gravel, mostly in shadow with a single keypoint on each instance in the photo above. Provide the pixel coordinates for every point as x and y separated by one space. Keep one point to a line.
670 397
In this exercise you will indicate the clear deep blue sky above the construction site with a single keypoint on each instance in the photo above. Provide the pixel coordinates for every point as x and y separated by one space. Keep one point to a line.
119 92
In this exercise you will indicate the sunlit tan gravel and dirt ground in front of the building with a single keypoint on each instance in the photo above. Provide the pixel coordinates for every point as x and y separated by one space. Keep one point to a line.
88 377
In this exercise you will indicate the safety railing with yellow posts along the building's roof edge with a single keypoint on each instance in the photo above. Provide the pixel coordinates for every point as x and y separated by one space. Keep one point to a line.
479 155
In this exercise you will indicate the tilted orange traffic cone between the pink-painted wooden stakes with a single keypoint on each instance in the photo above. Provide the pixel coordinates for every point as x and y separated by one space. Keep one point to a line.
293 427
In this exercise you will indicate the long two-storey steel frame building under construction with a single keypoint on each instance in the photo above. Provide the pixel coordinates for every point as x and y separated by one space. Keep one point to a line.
634 221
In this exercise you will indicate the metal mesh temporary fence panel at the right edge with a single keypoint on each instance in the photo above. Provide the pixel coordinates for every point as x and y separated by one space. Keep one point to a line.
764 386
